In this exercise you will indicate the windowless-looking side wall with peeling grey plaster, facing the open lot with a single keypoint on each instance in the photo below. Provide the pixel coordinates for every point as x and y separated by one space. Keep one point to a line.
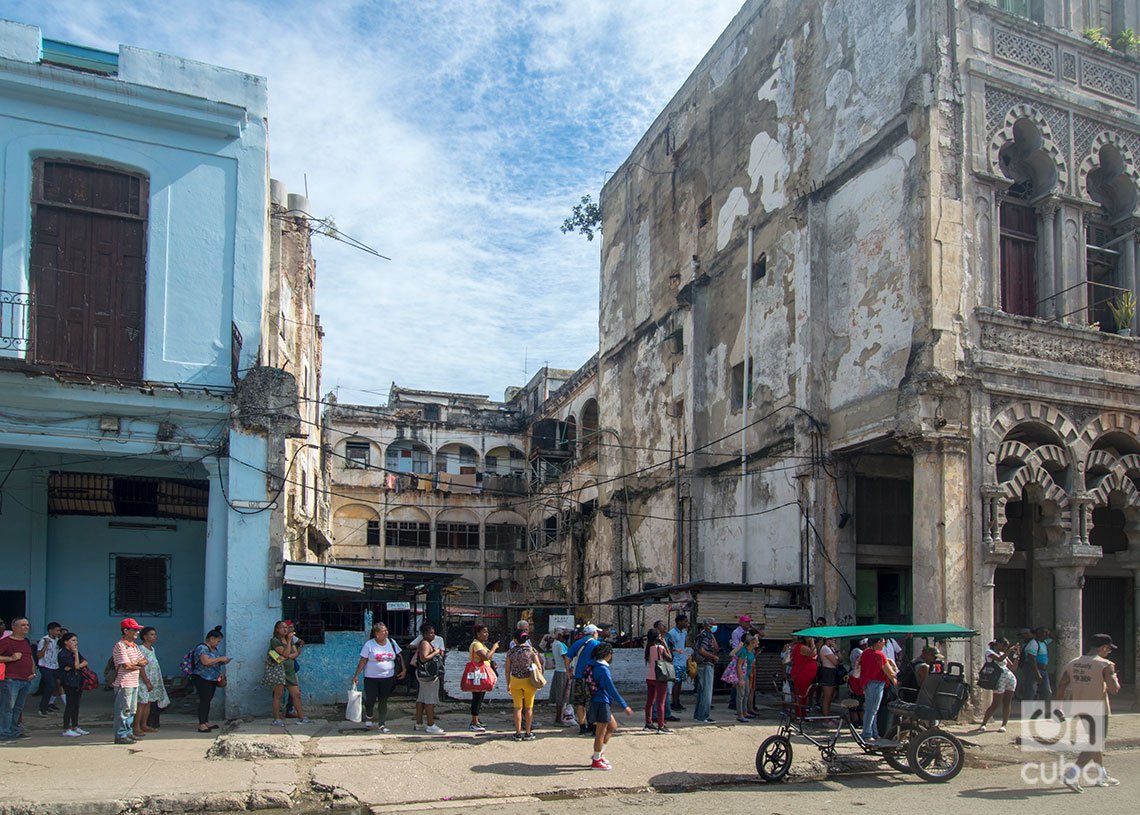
787 129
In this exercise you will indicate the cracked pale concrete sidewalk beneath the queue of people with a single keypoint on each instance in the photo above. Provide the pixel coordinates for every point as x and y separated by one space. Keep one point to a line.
333 763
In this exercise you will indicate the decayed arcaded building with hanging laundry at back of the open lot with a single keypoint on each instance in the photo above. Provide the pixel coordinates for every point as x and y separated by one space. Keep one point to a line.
466 492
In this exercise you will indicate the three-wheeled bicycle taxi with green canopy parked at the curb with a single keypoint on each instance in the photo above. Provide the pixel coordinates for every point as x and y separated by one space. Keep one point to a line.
916 744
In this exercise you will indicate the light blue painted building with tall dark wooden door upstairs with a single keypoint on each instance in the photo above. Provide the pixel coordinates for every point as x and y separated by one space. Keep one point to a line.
140 439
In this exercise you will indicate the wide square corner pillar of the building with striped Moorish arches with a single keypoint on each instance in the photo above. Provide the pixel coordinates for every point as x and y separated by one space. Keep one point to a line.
941 558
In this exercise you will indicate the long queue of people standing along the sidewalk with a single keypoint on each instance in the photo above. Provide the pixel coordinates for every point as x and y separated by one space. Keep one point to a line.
583 690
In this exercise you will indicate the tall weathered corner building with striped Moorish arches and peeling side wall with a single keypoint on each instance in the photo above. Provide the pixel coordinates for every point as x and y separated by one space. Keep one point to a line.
858 272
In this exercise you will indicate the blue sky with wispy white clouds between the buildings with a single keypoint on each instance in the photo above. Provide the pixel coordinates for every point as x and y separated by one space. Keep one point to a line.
454 137
